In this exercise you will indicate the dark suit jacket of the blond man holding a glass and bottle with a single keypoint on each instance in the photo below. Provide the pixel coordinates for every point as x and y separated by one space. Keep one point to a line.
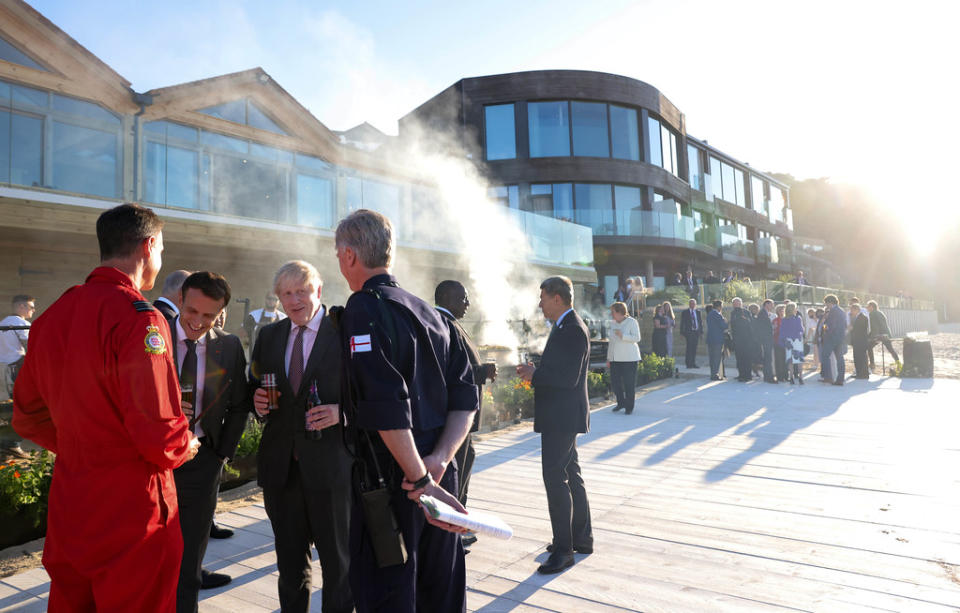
324 463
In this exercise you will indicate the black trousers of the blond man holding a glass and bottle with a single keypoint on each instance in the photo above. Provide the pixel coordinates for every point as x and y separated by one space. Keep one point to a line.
301 517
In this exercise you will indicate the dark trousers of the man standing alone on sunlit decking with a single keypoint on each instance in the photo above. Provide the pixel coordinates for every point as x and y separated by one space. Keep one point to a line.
566 494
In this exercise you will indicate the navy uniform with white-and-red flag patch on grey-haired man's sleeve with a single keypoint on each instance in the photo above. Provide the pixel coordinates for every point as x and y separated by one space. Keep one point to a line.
401 371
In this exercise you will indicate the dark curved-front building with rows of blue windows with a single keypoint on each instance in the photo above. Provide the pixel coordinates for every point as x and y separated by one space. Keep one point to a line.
613 153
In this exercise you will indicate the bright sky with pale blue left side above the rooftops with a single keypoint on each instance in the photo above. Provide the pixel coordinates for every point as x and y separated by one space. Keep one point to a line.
859 91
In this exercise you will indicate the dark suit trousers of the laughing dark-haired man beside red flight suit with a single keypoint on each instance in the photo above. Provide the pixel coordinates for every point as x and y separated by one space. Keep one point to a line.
198 482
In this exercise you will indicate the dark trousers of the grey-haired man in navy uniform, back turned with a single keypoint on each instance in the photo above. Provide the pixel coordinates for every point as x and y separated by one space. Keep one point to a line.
432 579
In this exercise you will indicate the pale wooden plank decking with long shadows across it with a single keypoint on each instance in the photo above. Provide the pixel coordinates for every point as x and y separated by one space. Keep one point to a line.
710 497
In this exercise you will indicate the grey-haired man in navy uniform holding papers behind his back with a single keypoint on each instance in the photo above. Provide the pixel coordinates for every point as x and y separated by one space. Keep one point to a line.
405 429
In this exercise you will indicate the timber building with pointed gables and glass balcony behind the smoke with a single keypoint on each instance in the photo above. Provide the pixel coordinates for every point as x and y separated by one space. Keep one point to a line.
243 175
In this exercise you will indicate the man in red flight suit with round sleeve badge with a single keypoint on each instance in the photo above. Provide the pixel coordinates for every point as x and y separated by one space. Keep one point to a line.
100 390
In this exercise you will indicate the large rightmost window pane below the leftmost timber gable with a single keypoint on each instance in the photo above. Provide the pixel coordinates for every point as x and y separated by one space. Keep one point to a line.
84 160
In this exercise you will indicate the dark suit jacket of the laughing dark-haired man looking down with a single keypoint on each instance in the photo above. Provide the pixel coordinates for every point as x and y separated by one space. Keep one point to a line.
226 403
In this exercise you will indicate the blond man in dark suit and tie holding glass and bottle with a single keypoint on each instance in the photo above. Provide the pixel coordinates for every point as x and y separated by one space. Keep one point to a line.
305 480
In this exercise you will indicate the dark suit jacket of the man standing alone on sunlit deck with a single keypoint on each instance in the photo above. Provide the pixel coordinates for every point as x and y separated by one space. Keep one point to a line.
560 382
